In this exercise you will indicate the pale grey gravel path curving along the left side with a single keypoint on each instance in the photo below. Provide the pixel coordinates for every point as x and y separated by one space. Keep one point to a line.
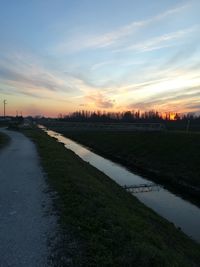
26 223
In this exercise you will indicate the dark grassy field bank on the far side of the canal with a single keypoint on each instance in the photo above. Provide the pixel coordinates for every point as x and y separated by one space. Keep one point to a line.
171 158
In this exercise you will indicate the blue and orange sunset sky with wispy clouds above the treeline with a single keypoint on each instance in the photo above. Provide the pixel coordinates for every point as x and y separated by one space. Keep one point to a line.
60 56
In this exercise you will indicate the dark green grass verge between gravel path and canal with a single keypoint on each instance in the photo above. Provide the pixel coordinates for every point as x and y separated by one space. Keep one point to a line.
112 227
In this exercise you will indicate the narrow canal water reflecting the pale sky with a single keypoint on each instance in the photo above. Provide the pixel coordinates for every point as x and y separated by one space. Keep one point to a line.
175 209
